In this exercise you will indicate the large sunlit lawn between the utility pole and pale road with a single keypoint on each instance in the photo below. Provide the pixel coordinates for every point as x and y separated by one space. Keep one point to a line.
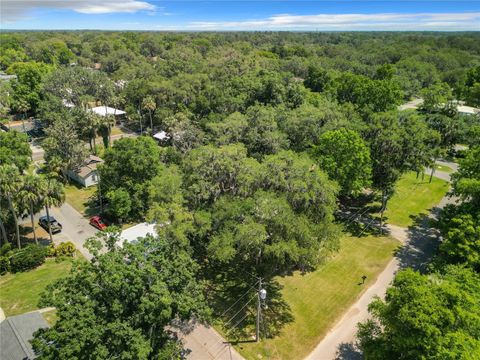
320 298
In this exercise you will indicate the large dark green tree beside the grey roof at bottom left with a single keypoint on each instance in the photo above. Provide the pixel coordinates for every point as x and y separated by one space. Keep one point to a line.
120 303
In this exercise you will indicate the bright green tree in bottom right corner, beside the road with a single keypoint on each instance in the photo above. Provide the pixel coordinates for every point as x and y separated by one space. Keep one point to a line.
434 316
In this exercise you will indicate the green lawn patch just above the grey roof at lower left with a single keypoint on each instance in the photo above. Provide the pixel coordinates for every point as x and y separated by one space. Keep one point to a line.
20 292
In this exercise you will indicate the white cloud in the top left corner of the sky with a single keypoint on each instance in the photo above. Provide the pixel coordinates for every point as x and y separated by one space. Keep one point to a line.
13 10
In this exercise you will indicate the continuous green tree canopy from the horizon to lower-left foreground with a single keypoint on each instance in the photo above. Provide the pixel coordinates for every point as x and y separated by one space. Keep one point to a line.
267 134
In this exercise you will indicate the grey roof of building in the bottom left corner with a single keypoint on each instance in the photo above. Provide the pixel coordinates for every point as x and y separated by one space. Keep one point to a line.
16 332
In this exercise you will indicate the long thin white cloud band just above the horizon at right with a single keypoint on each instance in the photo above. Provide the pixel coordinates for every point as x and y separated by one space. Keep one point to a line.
387 21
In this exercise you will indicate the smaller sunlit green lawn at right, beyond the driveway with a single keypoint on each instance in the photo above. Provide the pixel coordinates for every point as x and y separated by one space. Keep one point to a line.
414 197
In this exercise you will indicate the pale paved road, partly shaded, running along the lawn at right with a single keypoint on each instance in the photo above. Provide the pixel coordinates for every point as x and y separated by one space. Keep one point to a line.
419 245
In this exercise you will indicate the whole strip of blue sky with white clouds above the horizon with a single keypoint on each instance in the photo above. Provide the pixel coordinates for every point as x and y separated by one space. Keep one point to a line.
240 15
